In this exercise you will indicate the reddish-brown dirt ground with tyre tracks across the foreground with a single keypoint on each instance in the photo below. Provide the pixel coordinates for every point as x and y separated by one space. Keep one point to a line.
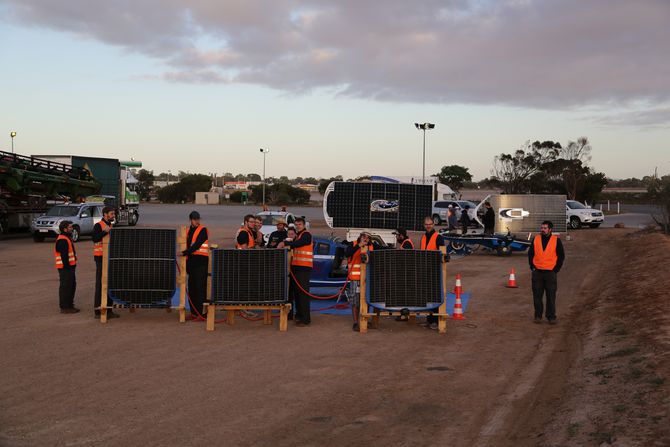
496 379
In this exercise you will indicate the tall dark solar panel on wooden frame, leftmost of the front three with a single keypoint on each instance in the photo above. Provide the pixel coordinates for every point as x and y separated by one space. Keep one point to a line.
142 266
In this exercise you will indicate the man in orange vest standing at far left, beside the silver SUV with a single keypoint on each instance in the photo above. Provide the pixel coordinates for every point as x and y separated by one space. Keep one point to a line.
66 263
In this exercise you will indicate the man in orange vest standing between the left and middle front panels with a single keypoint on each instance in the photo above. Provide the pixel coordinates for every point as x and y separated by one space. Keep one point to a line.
197 263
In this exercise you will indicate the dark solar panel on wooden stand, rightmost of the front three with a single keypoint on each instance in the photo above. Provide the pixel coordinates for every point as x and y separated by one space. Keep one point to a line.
399 279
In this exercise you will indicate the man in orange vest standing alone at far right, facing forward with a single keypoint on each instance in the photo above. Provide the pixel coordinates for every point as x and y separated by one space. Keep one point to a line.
546 257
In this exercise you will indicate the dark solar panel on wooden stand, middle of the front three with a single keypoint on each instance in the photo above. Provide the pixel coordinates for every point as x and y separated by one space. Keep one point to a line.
249 276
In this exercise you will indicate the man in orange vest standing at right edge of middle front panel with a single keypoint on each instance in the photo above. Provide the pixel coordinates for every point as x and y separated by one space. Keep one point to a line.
302 261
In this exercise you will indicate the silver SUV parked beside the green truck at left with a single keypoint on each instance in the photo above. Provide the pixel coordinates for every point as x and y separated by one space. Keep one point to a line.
82 215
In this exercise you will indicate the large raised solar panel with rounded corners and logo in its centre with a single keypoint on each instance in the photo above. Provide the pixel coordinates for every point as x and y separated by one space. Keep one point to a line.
379 205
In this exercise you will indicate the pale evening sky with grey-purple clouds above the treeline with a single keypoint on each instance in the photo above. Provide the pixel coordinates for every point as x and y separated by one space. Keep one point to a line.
335 87
